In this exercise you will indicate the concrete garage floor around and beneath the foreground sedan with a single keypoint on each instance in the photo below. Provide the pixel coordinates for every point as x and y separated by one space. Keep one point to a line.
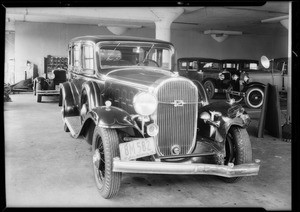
45 167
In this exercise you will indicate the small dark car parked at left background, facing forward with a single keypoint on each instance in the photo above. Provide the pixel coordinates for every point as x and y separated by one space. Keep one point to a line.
49 85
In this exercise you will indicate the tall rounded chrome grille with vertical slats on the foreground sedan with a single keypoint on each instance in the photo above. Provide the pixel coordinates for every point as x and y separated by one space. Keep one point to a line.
177 124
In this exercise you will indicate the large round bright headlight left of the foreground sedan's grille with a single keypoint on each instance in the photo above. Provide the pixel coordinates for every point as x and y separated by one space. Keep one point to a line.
145 103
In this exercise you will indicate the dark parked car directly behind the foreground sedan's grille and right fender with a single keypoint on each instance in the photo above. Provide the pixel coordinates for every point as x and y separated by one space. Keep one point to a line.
208 71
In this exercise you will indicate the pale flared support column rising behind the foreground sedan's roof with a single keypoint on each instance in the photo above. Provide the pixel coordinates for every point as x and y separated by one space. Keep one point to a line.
165 18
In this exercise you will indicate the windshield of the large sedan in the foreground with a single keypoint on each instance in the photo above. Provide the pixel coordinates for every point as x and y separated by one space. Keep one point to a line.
118 54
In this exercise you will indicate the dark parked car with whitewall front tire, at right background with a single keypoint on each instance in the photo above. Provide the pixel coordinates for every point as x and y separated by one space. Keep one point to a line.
252 81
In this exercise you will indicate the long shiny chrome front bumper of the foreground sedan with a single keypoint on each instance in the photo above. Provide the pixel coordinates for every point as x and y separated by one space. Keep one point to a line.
155 167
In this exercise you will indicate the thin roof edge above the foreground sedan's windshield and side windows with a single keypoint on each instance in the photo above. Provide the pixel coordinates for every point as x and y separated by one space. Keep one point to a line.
98 38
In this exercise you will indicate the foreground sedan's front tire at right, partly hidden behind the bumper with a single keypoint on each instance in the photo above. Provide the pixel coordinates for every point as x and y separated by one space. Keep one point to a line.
238 149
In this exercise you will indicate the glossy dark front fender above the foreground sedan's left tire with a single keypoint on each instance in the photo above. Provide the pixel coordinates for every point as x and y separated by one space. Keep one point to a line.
112 117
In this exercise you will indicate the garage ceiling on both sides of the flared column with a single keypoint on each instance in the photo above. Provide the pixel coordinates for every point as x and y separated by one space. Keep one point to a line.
246 19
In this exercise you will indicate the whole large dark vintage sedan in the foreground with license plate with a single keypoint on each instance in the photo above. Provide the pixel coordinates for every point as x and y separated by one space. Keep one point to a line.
140 117
